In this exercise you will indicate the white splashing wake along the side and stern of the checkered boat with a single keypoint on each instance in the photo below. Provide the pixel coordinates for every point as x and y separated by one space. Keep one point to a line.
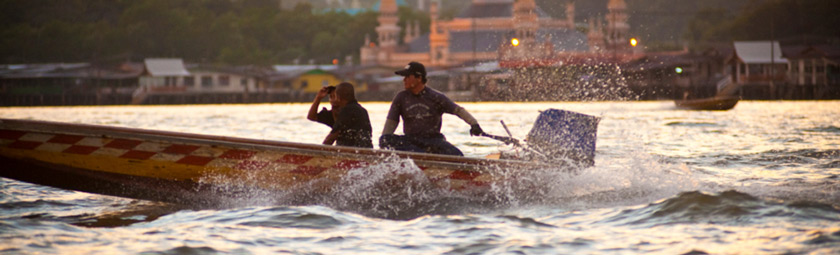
396 188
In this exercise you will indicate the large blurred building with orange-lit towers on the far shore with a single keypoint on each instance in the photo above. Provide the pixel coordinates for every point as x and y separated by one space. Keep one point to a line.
476 34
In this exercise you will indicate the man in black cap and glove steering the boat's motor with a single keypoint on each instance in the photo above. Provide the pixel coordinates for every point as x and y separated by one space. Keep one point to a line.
422 109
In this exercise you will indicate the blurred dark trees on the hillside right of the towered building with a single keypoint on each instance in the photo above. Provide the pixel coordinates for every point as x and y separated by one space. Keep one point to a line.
668 24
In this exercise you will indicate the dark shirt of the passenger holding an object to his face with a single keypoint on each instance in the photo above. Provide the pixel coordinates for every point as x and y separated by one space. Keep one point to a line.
352 126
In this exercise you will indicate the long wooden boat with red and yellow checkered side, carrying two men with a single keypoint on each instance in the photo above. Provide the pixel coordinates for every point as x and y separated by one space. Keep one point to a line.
200 169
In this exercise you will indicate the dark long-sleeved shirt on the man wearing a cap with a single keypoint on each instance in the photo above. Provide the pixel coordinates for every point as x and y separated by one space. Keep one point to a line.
421 113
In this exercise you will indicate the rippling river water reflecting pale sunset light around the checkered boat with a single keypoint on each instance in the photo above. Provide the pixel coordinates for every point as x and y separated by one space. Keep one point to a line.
762 178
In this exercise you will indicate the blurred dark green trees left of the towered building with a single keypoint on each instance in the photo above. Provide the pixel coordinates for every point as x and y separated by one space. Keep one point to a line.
219 31
